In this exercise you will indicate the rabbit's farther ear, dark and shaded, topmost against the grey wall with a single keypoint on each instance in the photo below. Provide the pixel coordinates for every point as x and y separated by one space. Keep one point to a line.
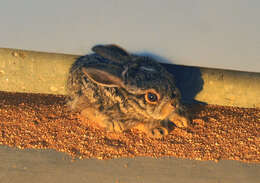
112 52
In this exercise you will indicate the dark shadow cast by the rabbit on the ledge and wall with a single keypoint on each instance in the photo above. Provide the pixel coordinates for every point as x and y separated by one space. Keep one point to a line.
188 79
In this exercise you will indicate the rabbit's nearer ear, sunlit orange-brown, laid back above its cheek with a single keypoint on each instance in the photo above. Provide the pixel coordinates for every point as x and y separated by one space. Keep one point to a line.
104 76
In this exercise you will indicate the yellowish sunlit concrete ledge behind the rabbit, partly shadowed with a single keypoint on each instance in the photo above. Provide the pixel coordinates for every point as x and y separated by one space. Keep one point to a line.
37 72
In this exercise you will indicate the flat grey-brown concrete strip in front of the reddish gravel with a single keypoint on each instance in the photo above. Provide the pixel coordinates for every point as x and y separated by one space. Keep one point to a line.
43 166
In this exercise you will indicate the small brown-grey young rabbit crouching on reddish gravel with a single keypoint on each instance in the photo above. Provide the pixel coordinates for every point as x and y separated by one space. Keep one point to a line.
119 91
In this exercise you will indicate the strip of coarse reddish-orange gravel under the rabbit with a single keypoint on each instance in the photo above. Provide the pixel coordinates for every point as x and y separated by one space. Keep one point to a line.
44 122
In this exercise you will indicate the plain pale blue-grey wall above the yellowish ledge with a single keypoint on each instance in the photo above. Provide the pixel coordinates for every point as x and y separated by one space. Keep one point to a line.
219 34
